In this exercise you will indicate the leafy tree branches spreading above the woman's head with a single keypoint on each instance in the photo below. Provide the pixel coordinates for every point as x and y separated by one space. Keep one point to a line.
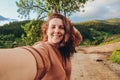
44 7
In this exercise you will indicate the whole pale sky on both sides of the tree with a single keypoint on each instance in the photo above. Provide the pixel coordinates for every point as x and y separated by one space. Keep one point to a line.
94 10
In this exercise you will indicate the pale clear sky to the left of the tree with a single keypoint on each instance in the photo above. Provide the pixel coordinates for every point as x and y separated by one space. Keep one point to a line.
8 9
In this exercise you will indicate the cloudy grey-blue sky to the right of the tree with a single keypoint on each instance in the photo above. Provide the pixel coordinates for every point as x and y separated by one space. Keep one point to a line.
99 9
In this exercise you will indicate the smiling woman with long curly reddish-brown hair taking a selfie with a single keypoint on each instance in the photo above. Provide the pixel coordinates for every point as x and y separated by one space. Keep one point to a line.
48 59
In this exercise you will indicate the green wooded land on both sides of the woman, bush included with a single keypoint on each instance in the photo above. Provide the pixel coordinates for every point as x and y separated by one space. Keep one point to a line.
94 32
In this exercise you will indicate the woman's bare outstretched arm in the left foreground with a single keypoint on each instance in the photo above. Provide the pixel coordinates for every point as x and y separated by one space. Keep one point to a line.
17 64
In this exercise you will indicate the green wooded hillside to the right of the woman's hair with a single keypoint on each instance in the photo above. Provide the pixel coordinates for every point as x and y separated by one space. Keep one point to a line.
97 31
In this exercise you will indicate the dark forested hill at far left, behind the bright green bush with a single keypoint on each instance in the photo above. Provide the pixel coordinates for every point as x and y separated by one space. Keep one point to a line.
13 28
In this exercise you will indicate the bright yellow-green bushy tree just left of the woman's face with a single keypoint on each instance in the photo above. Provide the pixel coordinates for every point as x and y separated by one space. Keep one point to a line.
32 32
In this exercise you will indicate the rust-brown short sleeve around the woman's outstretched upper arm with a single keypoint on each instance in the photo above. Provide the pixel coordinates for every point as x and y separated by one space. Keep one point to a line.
42 59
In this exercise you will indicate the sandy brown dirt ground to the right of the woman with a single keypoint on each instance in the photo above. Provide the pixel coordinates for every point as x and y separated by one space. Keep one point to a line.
90 63
